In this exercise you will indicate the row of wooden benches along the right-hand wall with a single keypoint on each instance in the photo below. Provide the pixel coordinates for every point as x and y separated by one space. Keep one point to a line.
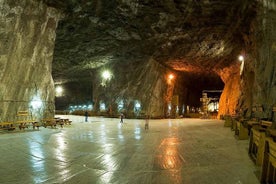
262 143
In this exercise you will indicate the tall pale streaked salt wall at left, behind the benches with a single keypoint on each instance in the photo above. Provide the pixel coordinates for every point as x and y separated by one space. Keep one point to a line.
27 36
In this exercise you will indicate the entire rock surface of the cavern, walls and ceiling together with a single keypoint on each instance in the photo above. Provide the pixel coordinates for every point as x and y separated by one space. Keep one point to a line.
141 43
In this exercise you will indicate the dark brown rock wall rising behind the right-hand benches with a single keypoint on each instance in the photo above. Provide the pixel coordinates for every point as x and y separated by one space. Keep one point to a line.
259 77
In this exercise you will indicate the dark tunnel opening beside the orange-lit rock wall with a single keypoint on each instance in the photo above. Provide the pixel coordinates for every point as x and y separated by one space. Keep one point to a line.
190 88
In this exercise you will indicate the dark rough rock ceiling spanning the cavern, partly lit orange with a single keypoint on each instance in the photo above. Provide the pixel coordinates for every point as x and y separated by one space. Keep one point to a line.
184 35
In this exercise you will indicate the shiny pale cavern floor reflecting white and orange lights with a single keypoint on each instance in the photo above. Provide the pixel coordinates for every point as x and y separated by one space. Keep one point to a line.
102 151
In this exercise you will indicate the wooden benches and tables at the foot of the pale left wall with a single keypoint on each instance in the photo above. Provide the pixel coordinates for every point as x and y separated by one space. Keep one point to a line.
24 120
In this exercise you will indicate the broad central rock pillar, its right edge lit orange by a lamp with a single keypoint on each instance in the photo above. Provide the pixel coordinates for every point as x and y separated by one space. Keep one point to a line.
145 83
